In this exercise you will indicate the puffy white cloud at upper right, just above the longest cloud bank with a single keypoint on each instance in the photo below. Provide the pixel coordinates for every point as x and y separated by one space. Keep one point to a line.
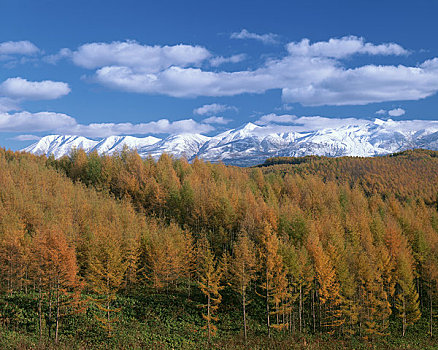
343 47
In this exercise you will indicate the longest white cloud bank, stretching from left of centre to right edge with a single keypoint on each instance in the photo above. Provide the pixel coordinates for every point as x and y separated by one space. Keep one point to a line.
309 81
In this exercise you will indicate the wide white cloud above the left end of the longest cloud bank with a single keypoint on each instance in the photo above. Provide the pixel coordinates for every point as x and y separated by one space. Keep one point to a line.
144 58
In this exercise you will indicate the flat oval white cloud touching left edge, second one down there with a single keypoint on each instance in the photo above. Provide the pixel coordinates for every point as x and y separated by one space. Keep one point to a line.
19 88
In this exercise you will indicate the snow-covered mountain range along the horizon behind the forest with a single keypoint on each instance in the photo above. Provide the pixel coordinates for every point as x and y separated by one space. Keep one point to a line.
251 144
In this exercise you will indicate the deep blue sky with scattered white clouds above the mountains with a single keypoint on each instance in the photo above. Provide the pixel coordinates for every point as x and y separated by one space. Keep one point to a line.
97 68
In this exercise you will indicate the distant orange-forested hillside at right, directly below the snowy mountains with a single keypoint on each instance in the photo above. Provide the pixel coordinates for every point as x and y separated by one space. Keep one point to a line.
385 175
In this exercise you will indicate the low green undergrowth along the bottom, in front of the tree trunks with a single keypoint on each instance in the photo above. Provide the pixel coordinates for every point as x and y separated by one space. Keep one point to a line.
160 321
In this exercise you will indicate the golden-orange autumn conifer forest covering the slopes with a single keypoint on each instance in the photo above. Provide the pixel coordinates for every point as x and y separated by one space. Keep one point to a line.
345 246
